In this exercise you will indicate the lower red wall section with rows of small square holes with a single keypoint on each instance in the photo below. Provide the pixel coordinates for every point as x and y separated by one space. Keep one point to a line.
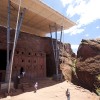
33 63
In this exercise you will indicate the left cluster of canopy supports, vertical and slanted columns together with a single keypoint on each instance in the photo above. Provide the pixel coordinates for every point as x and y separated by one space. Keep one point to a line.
10 61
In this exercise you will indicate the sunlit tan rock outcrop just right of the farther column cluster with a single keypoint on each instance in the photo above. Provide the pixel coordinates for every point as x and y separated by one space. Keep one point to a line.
66 61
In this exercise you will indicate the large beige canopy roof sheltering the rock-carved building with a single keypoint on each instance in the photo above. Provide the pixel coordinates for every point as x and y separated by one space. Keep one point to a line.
37 18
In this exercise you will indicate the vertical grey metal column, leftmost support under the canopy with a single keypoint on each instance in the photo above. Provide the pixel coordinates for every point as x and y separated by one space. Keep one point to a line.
8 40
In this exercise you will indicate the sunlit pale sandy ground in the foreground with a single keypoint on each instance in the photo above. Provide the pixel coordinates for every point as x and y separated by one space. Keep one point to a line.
56 92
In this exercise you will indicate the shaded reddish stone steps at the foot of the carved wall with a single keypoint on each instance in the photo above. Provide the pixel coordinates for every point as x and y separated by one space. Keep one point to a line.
26 85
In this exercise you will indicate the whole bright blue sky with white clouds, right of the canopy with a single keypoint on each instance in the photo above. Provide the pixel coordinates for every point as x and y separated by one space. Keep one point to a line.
85 13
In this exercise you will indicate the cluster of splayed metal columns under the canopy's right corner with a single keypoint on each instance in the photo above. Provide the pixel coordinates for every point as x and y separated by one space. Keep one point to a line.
56 47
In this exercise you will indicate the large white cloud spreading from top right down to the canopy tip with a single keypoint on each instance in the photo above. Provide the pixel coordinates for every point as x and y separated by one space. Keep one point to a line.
87 10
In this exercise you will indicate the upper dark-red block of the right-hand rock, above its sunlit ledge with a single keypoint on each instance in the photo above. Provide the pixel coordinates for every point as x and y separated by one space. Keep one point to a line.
88 49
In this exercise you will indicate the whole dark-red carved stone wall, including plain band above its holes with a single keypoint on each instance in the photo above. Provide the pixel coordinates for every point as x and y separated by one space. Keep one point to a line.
30 54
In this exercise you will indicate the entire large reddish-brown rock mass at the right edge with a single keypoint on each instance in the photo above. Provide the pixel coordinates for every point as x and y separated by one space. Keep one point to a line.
88 64
